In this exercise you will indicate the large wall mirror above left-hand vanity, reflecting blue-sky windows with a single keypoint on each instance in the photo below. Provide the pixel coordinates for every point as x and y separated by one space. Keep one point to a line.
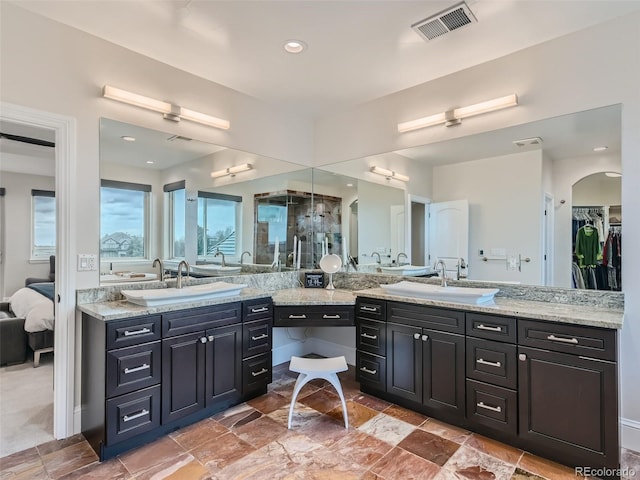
173 197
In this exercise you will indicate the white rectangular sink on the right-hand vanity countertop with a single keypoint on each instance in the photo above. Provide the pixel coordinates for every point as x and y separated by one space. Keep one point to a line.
436 292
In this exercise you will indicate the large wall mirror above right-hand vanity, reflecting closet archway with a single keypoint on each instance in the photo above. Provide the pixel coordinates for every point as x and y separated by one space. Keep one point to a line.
529 188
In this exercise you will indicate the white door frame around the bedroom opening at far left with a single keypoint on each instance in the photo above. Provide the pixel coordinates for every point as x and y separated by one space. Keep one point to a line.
64 332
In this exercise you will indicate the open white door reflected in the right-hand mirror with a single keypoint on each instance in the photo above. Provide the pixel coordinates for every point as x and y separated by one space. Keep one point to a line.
449 234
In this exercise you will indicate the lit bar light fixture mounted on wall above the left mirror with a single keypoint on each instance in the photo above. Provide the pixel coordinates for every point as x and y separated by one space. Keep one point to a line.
171 112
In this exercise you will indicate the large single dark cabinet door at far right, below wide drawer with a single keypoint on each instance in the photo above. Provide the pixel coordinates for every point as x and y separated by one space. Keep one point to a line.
568 407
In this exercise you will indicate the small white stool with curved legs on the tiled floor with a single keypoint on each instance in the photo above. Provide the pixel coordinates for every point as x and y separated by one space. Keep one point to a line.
325 368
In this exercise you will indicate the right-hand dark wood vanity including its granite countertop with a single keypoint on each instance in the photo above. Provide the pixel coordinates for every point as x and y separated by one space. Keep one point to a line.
538 376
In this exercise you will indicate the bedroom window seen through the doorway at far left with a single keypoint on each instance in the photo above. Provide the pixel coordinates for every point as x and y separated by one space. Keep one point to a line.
43 224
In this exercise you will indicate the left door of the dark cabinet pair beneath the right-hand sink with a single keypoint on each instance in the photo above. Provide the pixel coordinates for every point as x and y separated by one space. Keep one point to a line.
404 361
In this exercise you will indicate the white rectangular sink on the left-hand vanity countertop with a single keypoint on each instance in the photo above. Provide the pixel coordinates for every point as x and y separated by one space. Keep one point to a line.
164 296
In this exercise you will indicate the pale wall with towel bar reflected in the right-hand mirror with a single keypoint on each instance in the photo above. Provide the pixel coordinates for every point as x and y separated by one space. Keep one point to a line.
505 198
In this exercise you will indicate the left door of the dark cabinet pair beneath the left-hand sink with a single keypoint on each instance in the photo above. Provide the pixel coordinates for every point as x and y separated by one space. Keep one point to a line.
183 378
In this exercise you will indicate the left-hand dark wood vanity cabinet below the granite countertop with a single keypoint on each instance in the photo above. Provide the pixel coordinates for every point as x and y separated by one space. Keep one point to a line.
145 376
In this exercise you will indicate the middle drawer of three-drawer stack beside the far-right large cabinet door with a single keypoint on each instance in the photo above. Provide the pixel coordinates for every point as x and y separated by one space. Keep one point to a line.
492 362
